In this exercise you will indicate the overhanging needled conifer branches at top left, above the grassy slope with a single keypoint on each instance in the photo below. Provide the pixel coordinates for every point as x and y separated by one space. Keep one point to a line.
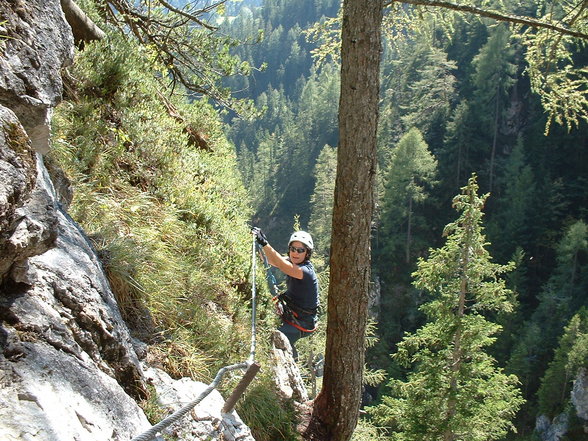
184 42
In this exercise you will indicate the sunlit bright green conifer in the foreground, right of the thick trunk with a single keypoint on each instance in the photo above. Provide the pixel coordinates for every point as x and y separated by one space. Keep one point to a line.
456 391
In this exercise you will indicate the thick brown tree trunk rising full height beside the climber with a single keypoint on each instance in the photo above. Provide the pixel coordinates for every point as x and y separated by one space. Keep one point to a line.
336 409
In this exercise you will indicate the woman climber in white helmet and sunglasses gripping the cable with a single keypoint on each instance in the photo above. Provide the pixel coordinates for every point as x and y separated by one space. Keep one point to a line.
301 300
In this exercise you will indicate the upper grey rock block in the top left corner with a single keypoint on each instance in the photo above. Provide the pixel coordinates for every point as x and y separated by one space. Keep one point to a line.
39 43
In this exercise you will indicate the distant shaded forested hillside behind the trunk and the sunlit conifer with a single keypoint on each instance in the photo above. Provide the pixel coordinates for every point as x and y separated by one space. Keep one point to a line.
456 100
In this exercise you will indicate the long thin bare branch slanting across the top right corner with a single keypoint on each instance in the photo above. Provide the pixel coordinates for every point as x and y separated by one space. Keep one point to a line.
495 15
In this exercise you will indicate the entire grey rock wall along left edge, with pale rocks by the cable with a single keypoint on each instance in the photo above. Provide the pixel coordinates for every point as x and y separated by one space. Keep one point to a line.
69 369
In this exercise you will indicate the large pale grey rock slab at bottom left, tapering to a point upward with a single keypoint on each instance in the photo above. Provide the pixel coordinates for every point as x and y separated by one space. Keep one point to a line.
68 367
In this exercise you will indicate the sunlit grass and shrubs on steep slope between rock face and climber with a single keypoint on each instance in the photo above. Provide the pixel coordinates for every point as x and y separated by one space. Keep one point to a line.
168 217
